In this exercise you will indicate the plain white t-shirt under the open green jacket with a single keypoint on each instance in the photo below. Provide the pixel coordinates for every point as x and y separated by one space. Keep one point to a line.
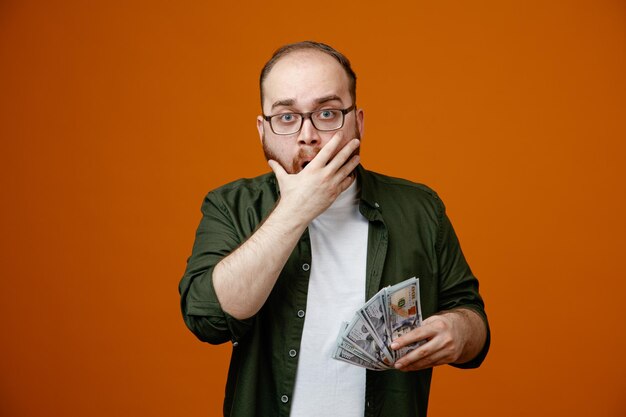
325 386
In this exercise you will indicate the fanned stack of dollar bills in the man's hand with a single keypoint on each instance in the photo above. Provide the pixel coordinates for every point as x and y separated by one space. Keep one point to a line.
391 313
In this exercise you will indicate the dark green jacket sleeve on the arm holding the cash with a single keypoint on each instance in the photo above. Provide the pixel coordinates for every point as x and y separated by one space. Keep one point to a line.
458 285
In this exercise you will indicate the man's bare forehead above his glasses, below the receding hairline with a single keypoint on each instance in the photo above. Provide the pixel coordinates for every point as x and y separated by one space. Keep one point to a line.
304 76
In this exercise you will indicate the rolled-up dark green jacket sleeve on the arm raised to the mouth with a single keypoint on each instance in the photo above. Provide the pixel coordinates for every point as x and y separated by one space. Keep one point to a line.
216 237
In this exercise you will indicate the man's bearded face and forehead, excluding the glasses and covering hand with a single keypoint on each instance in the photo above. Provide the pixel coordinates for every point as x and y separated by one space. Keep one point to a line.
301 82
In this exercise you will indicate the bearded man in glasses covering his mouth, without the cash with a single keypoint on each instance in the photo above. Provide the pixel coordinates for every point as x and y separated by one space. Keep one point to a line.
281 260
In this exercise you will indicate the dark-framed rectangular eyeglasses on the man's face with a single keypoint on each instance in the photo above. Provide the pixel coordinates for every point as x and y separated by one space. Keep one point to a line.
324 120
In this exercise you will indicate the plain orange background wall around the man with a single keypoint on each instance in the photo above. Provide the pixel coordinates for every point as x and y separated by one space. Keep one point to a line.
115 120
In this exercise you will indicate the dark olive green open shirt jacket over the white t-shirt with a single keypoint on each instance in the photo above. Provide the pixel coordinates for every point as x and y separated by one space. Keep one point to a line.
409 235
